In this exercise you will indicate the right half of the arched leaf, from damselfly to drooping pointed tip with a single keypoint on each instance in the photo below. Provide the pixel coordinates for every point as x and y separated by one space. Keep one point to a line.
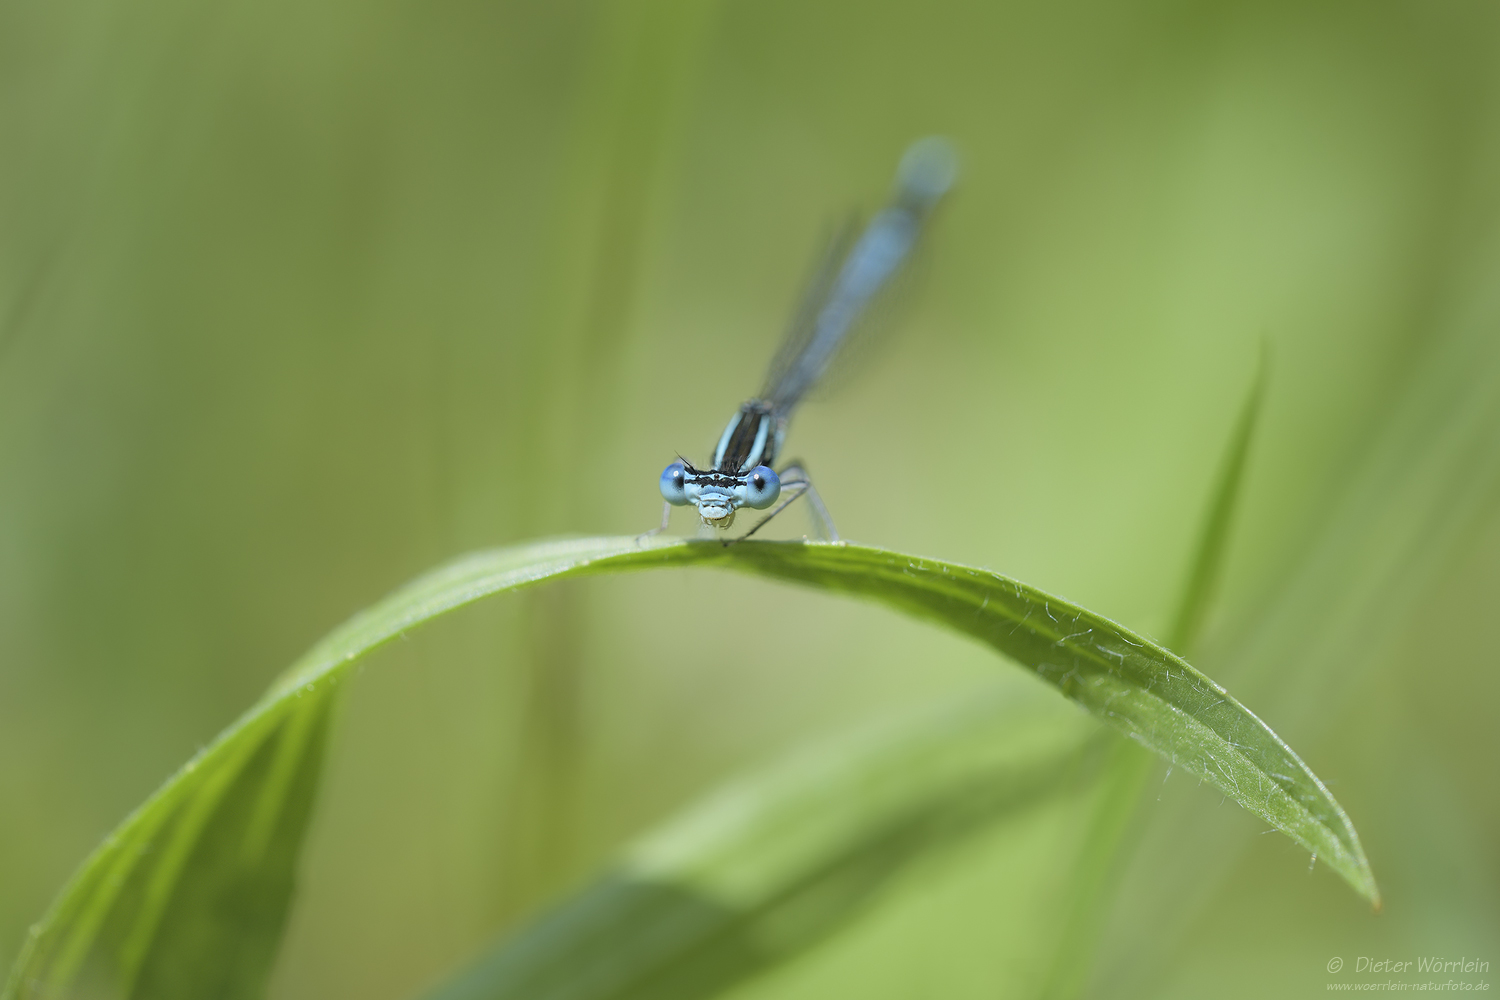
1132 683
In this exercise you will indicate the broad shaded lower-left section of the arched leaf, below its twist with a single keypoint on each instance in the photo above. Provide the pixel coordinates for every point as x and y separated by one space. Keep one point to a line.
188 897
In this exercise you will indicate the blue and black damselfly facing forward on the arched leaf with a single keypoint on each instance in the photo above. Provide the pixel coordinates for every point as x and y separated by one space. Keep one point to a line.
742 472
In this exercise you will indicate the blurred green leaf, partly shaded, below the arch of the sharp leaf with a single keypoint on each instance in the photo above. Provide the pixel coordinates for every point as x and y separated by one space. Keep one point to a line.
772 864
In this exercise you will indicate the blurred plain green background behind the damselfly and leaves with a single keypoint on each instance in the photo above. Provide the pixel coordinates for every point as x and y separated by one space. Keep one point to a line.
299 301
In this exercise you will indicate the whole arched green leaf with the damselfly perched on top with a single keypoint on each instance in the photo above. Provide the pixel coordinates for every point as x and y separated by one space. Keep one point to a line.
197 858
